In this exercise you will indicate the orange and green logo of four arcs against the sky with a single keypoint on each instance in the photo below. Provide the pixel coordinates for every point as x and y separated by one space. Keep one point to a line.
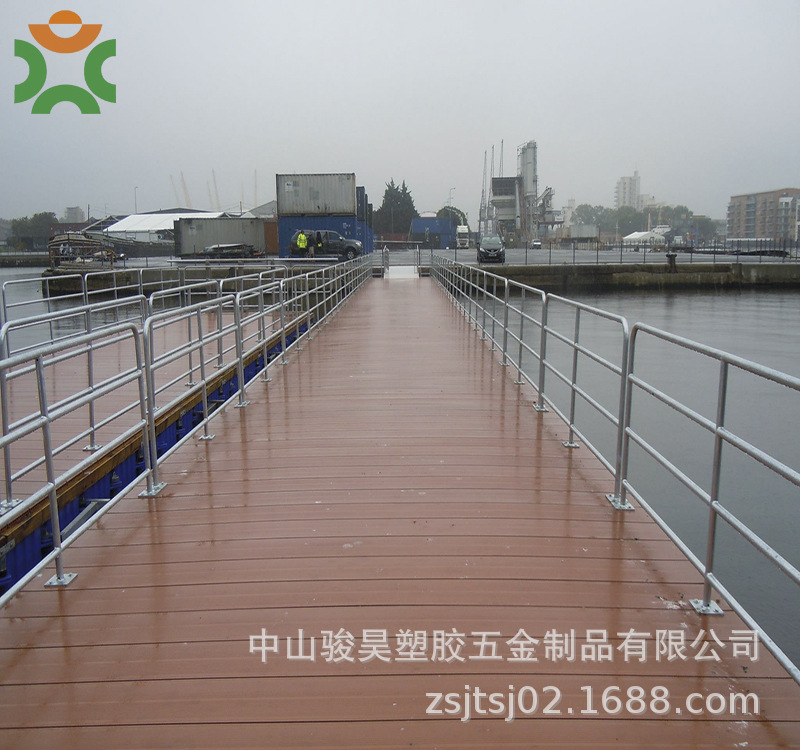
34 85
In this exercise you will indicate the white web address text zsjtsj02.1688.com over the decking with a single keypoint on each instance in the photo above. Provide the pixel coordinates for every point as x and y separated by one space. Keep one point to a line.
614 700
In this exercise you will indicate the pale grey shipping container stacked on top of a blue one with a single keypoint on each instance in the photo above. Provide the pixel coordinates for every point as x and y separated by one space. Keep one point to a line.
316 194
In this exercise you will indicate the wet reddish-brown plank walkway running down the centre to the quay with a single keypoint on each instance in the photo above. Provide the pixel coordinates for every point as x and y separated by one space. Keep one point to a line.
390 486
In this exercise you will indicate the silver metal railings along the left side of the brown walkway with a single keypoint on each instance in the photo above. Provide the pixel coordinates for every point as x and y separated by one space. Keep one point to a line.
316 295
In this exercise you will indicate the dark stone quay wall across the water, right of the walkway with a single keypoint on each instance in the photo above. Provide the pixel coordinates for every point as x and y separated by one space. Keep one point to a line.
564 279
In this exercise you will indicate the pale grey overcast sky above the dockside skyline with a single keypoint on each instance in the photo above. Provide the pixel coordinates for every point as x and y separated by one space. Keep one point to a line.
699 96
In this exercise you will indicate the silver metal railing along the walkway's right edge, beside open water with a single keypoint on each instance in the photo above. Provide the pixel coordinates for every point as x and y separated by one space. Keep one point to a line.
486 300
